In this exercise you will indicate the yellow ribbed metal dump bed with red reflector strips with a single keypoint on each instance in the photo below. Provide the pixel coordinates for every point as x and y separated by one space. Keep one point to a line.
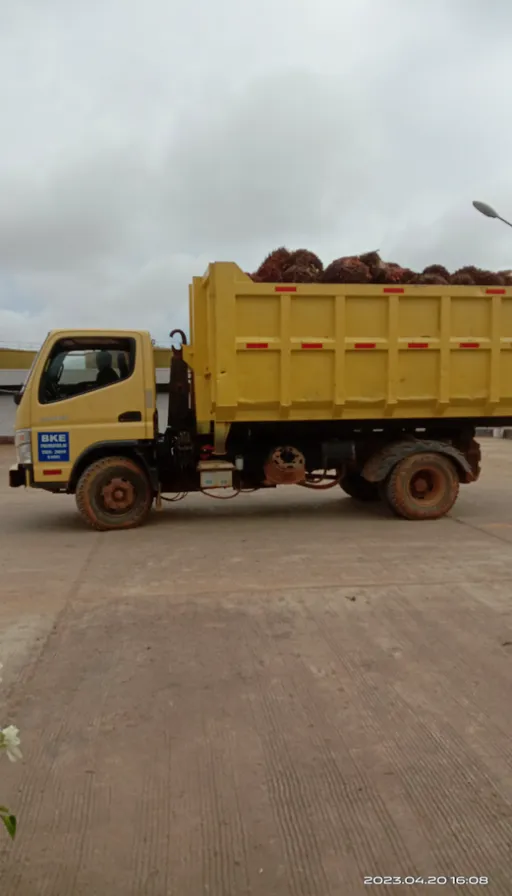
269 352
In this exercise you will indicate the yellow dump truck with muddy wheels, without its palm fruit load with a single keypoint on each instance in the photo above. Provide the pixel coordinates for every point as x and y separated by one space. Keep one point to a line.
376 389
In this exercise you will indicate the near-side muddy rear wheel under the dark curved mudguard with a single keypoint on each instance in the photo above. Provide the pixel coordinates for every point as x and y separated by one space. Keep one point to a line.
422 487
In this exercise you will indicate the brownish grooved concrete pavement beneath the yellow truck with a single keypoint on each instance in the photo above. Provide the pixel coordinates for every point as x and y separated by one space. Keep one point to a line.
275 696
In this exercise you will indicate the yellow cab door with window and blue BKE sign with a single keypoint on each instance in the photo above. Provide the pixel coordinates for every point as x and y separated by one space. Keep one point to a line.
92 389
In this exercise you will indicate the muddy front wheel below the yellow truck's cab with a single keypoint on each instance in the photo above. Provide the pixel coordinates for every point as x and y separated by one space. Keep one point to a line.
114 493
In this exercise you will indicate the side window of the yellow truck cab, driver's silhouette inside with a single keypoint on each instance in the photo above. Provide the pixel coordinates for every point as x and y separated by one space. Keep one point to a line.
77 366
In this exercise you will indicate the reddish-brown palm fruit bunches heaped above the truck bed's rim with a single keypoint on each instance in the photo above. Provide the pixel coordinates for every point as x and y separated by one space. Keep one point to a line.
303 266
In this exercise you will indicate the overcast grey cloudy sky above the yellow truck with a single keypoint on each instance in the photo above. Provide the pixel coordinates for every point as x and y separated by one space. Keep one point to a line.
141 140
